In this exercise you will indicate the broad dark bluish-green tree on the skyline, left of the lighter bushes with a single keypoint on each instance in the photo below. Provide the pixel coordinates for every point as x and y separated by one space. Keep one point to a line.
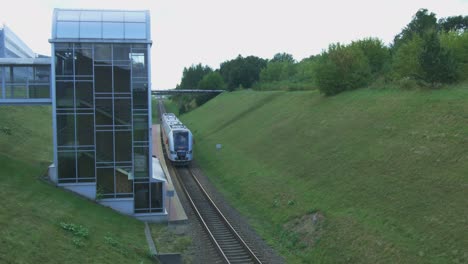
241 72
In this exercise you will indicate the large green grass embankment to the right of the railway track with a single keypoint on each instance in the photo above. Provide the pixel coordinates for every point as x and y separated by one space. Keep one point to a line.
383 171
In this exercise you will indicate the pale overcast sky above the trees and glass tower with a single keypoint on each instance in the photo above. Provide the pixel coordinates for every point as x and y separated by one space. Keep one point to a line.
212 31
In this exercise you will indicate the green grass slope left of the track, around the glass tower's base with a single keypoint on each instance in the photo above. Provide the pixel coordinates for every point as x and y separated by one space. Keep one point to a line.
40 223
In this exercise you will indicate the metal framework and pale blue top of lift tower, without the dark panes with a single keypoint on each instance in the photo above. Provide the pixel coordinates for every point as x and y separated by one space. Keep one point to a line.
88 28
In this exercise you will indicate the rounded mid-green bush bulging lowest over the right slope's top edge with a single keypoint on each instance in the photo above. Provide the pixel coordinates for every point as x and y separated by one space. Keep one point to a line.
342 68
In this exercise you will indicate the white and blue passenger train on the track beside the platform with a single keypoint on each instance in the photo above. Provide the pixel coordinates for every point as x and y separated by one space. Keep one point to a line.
177 140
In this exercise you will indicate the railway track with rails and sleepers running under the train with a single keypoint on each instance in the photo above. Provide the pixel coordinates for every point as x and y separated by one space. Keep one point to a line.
225 239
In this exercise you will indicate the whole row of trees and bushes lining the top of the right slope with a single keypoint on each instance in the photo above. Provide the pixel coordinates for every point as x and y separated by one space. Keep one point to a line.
426 53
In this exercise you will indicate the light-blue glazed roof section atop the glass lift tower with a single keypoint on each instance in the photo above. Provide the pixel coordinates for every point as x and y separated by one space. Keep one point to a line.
100 25
